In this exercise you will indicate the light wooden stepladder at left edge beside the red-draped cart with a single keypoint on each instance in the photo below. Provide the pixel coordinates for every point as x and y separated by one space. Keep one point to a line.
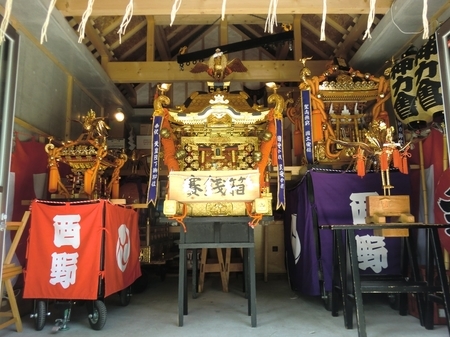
11 270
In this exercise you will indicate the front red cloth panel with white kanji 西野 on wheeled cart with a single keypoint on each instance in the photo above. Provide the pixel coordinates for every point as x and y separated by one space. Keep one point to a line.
63 255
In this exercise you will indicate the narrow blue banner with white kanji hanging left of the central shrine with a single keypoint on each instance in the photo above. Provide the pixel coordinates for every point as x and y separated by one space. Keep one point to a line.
154 160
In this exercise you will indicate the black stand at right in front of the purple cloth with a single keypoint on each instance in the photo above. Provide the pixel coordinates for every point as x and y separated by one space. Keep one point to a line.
349 285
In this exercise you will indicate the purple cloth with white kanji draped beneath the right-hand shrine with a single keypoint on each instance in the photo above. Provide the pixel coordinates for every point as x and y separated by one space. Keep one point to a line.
335 197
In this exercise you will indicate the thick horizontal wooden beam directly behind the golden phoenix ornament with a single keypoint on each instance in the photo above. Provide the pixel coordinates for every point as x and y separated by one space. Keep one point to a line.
258 71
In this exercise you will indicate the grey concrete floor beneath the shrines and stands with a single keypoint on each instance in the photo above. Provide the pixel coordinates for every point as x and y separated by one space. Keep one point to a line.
280 313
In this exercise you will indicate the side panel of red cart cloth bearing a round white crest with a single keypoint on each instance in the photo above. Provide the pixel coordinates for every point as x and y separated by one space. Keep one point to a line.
122 248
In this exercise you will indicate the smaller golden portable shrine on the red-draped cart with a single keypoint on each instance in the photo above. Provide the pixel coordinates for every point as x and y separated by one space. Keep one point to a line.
88 157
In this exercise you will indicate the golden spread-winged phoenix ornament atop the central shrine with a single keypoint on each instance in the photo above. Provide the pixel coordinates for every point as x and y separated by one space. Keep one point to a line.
218 66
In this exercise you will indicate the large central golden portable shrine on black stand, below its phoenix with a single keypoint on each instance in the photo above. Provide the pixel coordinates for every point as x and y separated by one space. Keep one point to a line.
219 150
